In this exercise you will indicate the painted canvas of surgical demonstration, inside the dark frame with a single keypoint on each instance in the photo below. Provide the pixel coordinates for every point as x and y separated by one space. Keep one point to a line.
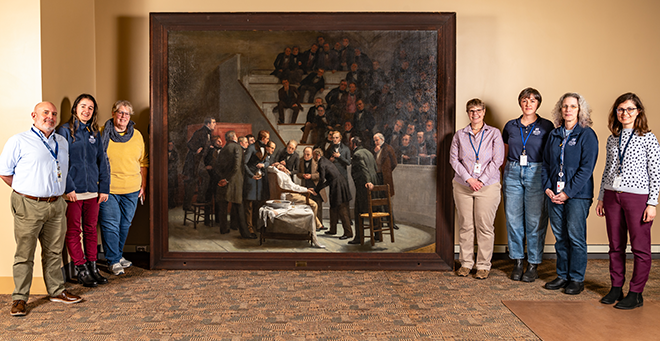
302 141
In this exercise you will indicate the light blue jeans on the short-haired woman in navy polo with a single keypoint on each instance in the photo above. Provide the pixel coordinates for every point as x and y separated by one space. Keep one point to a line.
525 210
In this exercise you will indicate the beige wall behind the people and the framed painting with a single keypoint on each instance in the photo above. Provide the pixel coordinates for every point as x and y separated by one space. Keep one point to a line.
597 48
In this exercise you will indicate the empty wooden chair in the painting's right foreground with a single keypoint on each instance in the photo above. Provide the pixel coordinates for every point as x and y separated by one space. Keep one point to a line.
379 219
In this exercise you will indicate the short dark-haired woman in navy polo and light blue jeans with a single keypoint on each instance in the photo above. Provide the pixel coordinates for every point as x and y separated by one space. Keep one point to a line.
524 200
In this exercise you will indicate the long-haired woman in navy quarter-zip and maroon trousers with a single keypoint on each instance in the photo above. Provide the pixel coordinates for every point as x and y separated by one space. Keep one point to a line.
87 185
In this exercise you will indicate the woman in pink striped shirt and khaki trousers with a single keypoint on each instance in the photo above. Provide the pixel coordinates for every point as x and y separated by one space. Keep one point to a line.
476 154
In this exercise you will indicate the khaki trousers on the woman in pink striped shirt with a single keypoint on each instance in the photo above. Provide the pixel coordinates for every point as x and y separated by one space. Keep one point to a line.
476 213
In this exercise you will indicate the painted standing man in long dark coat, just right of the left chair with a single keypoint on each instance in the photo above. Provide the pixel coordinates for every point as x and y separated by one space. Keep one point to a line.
228 168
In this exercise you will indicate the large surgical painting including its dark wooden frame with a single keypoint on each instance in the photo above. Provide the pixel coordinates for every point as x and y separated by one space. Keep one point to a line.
251 110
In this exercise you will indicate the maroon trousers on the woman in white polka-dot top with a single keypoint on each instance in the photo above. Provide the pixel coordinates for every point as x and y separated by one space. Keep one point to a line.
624 213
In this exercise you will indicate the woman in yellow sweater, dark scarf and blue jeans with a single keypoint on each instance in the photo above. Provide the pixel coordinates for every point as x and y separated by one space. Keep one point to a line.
128 162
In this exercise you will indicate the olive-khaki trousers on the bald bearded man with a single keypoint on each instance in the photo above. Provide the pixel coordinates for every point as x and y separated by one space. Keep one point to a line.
37 220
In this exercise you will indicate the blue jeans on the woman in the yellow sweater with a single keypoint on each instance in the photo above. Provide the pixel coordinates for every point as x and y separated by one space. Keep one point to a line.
115 216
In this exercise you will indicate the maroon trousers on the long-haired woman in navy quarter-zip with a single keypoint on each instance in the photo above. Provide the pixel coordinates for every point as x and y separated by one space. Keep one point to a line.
87 213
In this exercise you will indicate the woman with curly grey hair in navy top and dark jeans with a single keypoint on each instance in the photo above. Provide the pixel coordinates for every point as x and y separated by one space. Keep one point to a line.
568 165
